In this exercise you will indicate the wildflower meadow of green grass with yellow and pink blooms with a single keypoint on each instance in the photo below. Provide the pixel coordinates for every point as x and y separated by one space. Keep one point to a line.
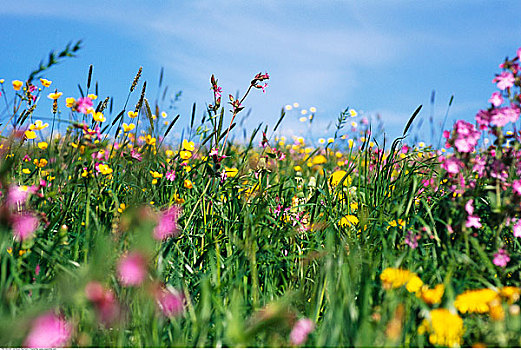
111 236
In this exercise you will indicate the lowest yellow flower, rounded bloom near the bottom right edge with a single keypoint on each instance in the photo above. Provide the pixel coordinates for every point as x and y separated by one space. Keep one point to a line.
445 328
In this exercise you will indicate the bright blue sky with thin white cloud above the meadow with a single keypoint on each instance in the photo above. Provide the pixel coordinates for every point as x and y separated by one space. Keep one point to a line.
381 57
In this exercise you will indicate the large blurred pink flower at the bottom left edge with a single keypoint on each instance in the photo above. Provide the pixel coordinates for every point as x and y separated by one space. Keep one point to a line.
48 331
